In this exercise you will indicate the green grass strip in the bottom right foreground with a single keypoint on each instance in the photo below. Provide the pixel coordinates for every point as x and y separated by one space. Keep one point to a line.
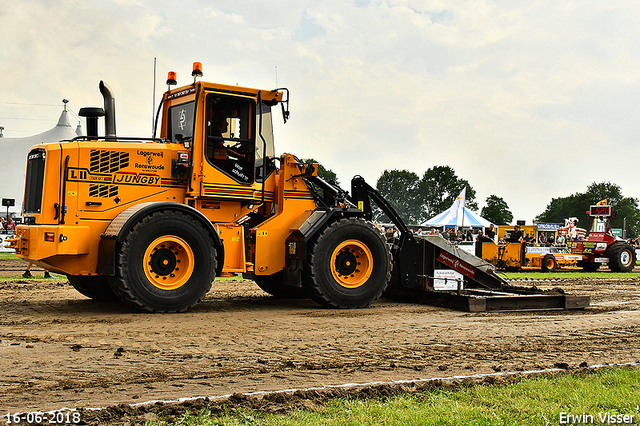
538 401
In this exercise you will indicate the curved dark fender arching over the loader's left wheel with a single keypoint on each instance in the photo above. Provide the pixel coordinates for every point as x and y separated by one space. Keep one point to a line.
122 224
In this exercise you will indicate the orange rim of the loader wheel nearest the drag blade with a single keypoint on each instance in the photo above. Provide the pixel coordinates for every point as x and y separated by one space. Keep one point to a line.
351 263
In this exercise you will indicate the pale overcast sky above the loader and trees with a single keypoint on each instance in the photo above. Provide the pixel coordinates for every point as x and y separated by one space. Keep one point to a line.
527 100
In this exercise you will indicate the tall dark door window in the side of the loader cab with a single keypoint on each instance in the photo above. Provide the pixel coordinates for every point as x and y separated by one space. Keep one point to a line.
230 142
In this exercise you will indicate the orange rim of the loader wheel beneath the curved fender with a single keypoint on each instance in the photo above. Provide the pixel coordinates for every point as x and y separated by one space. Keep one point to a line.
168 262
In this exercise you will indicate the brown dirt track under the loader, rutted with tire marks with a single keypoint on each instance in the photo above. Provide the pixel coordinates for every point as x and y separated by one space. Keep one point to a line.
60 349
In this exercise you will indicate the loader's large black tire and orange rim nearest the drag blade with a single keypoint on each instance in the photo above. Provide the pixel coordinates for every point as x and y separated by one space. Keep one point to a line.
349 265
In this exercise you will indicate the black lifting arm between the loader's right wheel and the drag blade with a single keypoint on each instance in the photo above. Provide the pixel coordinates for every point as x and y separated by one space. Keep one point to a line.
406 250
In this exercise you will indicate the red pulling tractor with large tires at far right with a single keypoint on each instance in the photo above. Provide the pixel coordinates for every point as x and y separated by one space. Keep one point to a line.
601 246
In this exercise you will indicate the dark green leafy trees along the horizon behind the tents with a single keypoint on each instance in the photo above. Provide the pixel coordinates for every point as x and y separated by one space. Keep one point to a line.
419 198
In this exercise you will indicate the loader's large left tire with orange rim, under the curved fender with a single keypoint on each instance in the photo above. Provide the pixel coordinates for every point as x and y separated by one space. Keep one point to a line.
165 264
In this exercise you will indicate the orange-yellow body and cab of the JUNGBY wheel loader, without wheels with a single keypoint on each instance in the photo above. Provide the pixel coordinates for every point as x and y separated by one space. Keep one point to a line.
88 185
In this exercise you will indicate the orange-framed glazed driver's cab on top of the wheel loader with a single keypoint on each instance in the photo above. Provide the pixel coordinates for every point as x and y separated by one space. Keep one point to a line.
228 131
